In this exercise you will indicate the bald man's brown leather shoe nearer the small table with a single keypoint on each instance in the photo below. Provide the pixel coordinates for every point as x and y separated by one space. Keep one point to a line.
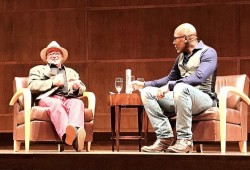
160 145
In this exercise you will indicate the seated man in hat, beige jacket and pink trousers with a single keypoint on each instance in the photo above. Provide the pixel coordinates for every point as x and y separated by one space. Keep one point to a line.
57 87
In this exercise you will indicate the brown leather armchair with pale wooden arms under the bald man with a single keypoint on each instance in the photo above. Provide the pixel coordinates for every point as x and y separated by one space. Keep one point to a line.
228 122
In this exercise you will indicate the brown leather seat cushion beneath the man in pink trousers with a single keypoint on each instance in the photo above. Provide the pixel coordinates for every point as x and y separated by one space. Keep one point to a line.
40 113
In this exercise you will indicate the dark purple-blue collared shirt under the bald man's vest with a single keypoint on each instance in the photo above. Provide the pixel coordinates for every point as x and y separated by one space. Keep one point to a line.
207 67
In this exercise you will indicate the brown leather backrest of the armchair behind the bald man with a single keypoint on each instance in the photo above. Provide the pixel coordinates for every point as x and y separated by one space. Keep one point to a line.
241 82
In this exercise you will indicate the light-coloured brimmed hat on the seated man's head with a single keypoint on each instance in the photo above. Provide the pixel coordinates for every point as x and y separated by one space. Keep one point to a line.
53 44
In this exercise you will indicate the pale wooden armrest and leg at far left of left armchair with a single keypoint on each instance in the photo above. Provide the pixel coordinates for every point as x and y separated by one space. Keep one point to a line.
25 92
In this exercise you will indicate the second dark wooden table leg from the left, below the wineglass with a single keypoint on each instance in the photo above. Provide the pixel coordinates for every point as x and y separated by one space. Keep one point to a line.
117 125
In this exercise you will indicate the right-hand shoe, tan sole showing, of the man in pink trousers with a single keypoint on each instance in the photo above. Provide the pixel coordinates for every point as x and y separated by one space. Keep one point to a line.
78 143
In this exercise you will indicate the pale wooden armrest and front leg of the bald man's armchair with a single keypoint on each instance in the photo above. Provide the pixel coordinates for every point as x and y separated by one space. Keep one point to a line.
222 110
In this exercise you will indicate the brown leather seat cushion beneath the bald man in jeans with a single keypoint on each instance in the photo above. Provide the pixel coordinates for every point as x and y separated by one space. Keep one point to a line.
233 116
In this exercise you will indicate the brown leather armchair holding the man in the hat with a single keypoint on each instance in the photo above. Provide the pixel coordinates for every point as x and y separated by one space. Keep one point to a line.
32 123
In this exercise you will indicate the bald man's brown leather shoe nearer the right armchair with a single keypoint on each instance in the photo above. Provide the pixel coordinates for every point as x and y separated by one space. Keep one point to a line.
182 146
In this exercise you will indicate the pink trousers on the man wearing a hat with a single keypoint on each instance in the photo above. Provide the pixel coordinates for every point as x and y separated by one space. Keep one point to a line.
64 112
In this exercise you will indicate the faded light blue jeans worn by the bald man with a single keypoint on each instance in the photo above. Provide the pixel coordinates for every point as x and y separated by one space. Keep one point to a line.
184 102
